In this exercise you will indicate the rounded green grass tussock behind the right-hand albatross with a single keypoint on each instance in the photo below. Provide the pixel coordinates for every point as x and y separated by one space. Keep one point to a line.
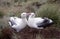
51 11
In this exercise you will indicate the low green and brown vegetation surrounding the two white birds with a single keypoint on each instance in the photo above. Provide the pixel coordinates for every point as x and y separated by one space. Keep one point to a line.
42 8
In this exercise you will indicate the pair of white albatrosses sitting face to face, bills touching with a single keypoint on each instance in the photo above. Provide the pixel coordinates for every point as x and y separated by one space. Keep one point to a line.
33 22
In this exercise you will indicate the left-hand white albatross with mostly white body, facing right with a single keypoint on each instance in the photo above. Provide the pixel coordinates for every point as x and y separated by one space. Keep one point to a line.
18 23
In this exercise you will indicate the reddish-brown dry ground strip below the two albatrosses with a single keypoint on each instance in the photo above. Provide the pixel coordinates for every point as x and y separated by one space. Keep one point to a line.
29 33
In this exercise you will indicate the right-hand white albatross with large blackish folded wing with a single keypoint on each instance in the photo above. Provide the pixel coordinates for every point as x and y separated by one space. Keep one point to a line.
38 22
